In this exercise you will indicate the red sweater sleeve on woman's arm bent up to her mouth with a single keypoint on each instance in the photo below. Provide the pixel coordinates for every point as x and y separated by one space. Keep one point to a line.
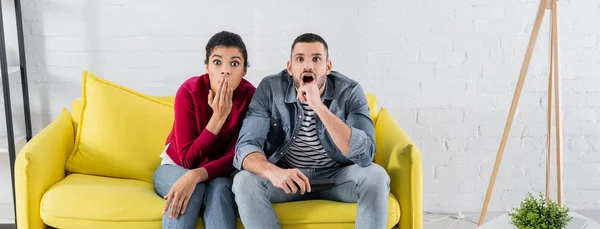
191 145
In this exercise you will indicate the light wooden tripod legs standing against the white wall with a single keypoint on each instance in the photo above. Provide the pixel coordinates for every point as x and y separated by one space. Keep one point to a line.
553 80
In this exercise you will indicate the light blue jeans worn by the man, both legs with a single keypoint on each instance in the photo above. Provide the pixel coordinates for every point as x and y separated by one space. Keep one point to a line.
369 186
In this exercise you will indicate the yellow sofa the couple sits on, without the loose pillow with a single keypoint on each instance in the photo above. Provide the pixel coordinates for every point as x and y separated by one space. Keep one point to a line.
48 194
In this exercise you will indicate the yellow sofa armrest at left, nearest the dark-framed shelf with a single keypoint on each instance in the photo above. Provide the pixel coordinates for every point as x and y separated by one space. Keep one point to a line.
39 165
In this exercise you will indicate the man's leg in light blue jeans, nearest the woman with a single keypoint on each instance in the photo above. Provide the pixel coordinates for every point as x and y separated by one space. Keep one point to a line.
254 195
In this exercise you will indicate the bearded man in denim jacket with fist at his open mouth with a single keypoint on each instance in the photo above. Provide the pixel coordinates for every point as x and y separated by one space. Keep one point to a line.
306 124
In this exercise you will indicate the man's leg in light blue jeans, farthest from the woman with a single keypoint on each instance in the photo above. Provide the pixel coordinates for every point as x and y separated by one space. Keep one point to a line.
369 186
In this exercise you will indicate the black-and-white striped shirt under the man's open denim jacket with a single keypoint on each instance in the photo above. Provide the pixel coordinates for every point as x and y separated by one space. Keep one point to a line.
306 150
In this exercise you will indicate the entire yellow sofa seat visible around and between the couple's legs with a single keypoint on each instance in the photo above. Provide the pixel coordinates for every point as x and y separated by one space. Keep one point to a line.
88 201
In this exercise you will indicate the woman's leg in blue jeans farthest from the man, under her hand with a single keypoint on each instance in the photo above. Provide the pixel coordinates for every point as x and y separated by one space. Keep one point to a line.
164 178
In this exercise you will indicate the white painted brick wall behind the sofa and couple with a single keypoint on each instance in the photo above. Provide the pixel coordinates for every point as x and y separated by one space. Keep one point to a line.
445 69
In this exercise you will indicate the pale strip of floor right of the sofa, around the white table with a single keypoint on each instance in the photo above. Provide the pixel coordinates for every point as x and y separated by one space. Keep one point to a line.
470 222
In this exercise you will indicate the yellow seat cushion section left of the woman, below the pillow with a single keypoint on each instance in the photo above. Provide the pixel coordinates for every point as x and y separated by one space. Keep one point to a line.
88 201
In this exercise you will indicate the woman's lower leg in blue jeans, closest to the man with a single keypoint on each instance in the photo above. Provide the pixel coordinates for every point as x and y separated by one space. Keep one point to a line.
219 210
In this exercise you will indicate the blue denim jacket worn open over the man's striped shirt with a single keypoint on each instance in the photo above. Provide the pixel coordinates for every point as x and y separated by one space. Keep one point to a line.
274 118
